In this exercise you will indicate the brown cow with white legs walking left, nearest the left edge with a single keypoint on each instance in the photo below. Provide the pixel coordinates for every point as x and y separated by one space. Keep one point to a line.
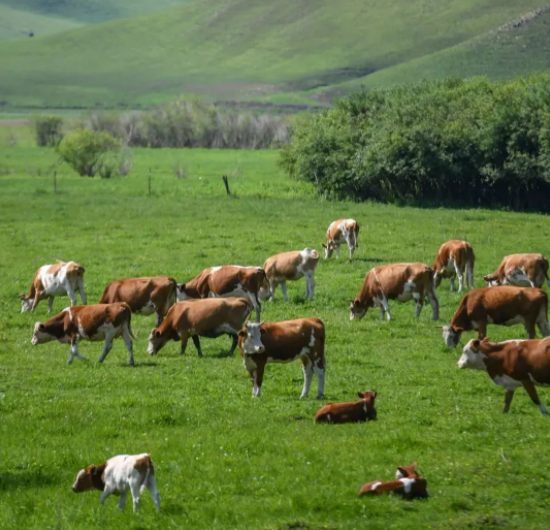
88 322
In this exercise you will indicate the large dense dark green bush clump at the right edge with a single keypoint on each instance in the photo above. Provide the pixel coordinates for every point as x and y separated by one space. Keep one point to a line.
467 143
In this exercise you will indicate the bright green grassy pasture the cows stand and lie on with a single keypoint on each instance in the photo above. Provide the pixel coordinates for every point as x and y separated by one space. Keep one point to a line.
223 459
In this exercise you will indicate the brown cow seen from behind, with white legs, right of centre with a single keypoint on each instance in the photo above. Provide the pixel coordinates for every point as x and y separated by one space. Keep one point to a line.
455 258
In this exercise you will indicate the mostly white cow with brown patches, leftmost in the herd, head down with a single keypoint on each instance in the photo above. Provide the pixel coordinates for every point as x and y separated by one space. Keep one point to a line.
61 279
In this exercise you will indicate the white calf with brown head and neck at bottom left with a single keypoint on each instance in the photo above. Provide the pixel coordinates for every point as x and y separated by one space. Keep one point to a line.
119 475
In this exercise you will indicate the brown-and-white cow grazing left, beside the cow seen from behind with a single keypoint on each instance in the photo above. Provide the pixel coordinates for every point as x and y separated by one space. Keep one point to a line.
399 281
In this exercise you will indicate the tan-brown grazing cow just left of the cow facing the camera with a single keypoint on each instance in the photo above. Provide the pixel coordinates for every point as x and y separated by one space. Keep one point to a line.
210 318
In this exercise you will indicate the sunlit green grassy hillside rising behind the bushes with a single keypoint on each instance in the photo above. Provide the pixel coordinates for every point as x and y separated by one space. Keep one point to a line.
284 50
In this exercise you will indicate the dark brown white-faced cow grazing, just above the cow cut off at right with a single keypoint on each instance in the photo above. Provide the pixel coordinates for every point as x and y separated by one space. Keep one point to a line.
504 306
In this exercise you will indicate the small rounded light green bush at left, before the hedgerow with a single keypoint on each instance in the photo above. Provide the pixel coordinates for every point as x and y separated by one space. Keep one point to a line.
84 150
